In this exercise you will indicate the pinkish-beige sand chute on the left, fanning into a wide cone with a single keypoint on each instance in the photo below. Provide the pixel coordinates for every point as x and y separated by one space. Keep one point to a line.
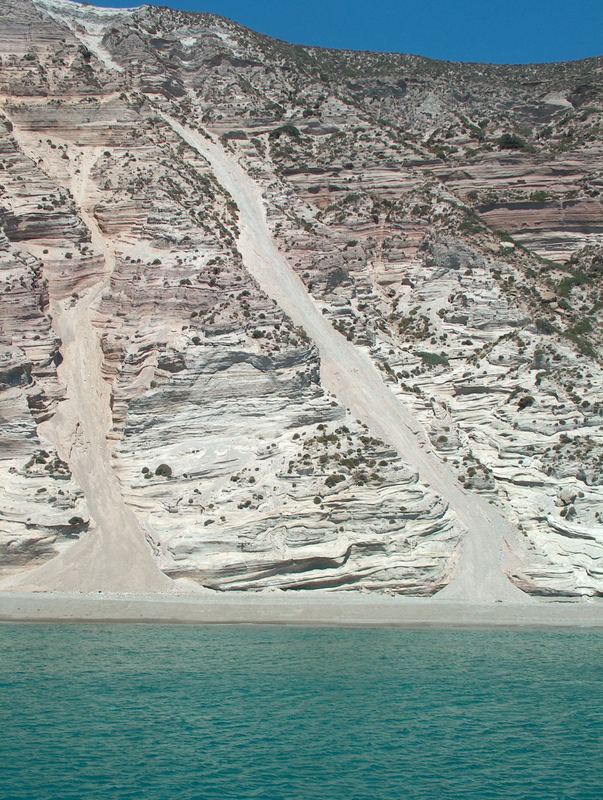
115 557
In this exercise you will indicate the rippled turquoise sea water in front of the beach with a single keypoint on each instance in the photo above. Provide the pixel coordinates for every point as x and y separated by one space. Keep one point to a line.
104 712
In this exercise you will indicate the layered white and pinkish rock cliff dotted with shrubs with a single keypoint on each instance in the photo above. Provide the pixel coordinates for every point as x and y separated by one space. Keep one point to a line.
252 337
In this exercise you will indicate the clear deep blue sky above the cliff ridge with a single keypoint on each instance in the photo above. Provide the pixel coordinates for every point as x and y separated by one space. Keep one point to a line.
499 31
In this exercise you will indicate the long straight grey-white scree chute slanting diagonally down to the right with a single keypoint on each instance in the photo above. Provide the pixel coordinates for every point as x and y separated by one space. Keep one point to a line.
349 373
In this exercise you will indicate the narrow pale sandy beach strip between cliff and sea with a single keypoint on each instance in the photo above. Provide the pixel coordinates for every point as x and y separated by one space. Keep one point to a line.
313 609
